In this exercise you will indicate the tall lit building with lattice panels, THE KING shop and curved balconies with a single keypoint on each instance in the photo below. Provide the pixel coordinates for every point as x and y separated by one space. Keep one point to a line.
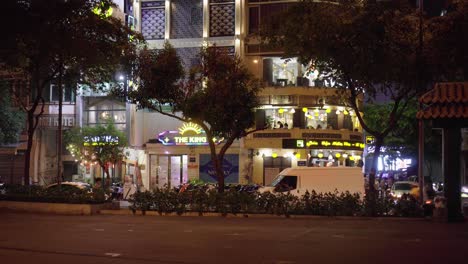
321 130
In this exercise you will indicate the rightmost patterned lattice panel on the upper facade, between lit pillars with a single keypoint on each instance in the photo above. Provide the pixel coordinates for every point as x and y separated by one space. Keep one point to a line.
222 20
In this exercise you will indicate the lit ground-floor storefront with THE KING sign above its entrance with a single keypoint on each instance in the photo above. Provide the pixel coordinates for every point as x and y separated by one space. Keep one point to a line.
180 155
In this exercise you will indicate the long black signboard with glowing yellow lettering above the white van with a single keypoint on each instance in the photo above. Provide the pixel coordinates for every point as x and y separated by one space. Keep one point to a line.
323 144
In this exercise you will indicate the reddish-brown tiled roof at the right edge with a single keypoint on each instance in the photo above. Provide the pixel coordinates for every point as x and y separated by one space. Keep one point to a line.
446 100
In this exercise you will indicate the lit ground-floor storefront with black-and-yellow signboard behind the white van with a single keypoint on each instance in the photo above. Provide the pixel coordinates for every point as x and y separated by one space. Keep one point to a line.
275 150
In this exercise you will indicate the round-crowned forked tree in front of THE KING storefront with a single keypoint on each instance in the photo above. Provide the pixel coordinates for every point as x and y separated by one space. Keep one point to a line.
219 95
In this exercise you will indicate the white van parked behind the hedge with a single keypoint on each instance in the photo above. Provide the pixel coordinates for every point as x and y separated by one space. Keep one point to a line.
320 179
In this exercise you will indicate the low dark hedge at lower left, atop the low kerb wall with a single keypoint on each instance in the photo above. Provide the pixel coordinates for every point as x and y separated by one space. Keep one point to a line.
65 194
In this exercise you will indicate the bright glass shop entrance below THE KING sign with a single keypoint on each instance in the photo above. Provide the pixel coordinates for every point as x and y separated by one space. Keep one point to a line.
168 170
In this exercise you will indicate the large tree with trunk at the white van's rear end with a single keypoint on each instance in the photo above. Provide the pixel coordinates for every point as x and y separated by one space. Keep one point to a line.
365 47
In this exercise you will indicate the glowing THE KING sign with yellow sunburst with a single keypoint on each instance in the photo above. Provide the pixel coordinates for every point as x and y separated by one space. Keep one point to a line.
187 134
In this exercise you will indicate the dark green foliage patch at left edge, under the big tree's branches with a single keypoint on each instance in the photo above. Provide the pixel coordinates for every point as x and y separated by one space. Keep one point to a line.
11 120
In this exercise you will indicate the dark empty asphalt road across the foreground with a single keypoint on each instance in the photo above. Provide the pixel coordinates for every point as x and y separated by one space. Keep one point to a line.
36 238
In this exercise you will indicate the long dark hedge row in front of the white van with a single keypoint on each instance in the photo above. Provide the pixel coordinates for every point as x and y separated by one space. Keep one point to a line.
234 202
